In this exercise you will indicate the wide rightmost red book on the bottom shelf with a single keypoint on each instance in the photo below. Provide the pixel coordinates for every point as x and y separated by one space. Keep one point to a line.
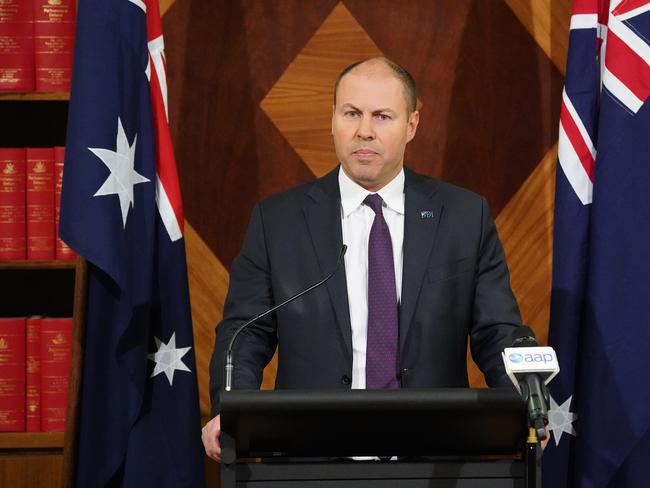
56 335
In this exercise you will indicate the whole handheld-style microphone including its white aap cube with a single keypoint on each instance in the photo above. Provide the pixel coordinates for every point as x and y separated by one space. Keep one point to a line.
530 368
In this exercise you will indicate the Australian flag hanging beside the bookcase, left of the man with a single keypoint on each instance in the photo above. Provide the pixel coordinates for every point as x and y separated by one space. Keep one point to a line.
138 422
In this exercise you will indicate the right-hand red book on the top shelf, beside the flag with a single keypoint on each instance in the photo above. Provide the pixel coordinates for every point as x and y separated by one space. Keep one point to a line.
54 26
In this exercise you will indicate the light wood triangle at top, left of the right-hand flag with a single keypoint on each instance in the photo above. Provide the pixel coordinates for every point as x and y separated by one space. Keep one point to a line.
548 23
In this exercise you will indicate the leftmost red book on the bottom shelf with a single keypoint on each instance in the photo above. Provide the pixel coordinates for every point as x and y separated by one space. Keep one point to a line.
12 374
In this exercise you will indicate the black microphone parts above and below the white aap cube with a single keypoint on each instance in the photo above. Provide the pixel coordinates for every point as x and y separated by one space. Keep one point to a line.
533 388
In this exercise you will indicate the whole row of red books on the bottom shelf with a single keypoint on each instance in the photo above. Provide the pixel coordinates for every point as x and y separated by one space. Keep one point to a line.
34 367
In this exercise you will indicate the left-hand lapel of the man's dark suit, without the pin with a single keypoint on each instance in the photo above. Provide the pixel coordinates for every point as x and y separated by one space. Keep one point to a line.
322 210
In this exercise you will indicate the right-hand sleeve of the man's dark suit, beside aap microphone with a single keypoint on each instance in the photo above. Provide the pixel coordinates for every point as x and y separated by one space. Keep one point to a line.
496 314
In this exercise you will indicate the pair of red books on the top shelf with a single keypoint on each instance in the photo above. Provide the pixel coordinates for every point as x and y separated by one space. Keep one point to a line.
36 44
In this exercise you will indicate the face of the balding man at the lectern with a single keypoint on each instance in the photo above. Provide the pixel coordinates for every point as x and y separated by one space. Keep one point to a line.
371 125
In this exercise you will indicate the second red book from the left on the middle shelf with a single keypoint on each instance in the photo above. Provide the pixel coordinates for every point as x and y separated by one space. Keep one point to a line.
40 203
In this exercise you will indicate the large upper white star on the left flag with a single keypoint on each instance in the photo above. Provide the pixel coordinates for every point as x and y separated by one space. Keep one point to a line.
123 177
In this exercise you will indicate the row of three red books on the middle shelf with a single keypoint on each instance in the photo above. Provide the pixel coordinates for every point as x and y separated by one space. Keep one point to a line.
30 197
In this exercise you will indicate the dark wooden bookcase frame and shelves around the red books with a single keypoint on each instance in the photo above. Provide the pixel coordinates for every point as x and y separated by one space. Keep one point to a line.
52 288
